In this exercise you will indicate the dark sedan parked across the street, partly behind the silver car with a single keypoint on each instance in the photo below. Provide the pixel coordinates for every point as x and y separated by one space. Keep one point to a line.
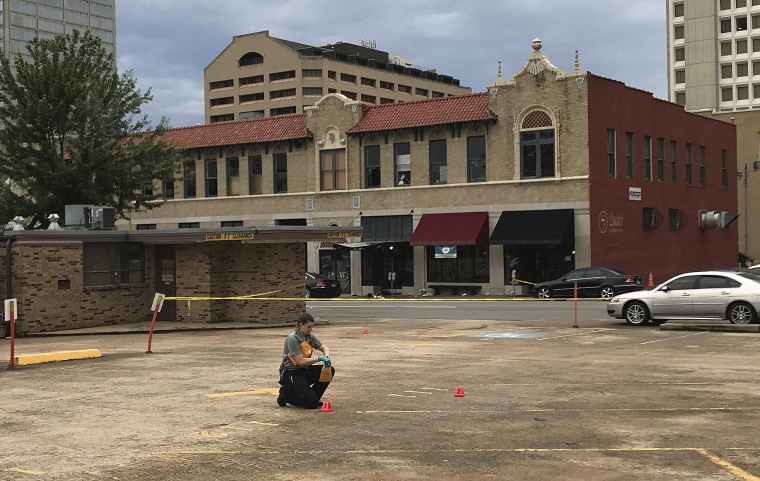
592 282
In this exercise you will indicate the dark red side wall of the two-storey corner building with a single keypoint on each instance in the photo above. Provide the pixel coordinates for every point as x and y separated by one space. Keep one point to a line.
625 245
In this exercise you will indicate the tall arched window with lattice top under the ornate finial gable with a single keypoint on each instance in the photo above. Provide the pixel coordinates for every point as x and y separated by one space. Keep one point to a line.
537 141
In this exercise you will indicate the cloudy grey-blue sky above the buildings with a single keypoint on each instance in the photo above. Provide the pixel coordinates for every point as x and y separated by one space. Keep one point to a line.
168 43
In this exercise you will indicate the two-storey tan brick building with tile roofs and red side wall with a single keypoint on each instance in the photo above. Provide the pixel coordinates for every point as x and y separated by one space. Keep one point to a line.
547 171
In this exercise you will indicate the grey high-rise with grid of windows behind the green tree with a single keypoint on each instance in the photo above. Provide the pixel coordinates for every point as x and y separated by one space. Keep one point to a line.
23 20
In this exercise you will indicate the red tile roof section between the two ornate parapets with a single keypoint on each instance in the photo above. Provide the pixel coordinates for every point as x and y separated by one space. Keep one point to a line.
438 111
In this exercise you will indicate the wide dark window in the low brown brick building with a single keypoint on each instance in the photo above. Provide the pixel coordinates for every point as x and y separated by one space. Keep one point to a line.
113 264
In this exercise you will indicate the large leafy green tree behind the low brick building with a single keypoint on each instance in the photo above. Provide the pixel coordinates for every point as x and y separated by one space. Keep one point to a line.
71 132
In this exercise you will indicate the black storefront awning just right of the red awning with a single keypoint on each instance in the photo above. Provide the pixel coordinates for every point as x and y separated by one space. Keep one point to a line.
534 227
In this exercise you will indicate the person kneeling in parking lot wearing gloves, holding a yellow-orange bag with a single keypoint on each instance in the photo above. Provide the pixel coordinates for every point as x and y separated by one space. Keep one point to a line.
303 381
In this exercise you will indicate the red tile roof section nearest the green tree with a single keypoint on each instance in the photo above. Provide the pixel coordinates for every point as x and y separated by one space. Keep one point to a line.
270 129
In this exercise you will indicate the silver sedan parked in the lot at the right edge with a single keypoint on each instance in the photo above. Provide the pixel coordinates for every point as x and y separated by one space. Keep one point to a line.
734 296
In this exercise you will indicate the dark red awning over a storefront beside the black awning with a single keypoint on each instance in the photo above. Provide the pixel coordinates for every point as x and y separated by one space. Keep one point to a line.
454 229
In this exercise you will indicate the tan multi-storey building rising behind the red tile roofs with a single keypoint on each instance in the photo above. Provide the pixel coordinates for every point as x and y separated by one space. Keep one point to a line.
261 76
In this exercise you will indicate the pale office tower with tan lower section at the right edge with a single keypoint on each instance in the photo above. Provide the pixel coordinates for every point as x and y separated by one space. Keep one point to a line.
714 70
